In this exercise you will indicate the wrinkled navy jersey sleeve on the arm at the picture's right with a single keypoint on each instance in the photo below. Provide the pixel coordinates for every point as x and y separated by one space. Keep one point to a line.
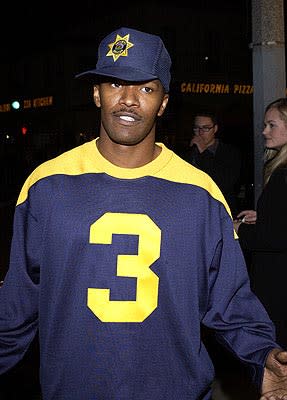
240 322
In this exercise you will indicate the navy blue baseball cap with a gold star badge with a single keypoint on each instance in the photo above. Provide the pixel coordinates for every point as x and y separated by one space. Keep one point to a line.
132 55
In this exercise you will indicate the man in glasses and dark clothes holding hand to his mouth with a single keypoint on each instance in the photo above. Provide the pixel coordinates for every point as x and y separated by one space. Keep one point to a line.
222 161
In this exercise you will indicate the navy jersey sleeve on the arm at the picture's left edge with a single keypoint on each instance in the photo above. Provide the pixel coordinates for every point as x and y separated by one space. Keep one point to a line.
19 292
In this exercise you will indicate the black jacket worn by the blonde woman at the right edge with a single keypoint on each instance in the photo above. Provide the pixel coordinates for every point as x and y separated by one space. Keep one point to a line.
267 241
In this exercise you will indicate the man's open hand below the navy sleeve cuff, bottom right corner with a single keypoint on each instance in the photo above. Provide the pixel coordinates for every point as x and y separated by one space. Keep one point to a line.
274 384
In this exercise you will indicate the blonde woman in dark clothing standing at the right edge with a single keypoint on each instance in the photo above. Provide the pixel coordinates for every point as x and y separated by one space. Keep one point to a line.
263 232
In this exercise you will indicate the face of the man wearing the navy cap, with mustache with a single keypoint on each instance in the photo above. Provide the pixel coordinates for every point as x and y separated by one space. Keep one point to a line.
129 110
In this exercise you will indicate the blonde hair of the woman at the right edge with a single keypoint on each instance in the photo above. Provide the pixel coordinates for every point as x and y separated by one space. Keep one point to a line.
274 158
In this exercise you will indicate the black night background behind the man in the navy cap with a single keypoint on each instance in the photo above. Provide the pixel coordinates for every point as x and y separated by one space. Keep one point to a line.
45 44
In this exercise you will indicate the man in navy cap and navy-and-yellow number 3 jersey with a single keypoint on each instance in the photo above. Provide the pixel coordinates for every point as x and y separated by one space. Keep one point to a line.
121 250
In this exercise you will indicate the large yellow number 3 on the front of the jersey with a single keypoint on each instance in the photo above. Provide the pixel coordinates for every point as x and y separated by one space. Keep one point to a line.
137 266
